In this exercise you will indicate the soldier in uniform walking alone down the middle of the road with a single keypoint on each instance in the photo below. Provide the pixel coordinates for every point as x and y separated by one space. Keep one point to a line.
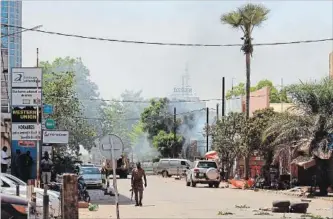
137 183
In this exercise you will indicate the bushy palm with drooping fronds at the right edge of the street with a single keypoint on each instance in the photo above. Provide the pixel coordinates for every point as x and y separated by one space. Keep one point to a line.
306 130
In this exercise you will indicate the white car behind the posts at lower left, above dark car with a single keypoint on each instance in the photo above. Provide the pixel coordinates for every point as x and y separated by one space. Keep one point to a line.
8 186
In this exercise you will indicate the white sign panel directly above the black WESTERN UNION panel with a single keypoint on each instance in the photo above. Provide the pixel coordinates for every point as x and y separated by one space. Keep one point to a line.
26 97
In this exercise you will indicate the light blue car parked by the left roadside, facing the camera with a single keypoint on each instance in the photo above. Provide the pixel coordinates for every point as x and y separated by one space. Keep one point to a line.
92 176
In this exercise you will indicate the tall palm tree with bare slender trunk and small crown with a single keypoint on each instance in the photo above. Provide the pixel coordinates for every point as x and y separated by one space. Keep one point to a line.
246 18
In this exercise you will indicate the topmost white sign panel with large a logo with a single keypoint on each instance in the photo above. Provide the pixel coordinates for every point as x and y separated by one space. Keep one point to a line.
26 77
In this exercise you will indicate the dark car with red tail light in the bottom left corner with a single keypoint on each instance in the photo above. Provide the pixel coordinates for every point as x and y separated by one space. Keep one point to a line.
14 207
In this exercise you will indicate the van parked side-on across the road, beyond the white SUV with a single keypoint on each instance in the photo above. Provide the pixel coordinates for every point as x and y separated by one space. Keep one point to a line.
172 166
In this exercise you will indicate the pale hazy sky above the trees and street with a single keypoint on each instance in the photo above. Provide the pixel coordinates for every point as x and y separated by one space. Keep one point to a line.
115 67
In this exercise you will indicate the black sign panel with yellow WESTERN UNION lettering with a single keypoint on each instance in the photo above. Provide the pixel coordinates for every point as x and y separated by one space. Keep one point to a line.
26 114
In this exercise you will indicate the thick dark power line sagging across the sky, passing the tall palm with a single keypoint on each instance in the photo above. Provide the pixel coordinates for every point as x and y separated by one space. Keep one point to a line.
167 44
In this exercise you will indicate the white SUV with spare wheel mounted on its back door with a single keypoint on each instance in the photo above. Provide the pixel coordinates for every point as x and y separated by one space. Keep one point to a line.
203 172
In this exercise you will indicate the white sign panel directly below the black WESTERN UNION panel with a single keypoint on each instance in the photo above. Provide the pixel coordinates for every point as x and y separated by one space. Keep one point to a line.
26 131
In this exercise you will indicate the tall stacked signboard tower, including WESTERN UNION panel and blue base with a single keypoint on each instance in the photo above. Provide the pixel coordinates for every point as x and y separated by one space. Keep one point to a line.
26 101
